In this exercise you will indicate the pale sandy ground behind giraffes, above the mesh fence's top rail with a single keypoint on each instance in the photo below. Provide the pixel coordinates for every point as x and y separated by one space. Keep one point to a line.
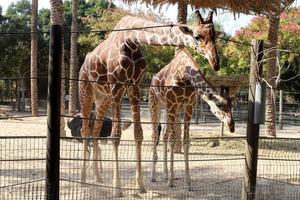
37 126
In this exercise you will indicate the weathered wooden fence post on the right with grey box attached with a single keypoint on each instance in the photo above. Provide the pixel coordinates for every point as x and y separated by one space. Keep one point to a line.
252 137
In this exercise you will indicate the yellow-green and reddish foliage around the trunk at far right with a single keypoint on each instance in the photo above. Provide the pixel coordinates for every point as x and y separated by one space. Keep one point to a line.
239 55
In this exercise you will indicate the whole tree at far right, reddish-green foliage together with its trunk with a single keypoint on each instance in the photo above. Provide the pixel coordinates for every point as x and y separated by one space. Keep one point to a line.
287 38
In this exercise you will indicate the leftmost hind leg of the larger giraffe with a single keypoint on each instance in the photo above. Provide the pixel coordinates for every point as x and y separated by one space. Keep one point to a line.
86 107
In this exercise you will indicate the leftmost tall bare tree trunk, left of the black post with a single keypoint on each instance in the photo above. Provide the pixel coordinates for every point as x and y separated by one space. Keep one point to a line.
33 63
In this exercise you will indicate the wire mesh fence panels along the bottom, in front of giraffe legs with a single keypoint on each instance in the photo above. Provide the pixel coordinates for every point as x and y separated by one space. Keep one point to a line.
216 168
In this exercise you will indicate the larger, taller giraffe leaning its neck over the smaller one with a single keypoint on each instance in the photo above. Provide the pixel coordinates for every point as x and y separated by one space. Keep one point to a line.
117 66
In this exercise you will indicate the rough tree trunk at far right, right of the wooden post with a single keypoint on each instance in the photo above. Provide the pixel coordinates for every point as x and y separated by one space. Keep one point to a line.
271 73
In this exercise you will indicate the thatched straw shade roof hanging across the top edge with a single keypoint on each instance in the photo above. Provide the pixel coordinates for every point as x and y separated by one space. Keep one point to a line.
264 7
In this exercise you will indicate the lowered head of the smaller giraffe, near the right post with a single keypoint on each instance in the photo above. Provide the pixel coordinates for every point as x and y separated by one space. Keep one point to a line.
221 107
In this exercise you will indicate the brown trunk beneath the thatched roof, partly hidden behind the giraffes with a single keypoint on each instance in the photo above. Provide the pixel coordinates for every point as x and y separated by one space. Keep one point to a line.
181 19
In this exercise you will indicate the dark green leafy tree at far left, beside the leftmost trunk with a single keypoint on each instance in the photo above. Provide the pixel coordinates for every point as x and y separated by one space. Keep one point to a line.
16 48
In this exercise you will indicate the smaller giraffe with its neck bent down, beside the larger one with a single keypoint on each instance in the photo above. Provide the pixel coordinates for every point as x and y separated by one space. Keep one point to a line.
175 88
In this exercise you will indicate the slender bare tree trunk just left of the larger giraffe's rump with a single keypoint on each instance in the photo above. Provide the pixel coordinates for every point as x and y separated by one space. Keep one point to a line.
73 90
